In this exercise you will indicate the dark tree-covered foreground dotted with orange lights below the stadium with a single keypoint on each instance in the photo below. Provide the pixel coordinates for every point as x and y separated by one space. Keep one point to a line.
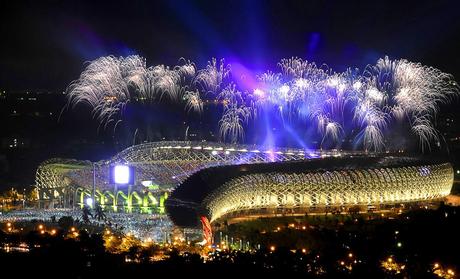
418 244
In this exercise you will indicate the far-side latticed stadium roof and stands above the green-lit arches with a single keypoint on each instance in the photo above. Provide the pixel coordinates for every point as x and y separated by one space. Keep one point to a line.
165 163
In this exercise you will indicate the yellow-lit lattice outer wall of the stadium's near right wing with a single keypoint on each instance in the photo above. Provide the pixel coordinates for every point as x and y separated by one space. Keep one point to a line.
267 193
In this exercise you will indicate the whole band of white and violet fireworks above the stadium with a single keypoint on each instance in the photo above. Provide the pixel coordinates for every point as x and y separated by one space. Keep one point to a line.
363 106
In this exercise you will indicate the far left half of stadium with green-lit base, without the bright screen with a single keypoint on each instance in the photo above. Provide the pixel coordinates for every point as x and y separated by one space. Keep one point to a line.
159 167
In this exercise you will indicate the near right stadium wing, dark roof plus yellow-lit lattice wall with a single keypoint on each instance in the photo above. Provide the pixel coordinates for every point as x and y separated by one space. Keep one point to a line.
316 186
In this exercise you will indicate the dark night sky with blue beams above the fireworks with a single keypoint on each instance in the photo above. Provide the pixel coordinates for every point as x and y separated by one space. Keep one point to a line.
44 44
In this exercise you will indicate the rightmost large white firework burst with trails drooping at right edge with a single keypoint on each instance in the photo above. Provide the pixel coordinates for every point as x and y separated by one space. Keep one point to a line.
407 90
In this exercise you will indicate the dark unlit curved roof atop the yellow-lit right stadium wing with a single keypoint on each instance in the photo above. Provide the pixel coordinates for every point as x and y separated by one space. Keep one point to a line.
186 201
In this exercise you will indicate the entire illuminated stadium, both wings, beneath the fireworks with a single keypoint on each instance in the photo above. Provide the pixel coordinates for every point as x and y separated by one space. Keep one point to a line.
189 180
